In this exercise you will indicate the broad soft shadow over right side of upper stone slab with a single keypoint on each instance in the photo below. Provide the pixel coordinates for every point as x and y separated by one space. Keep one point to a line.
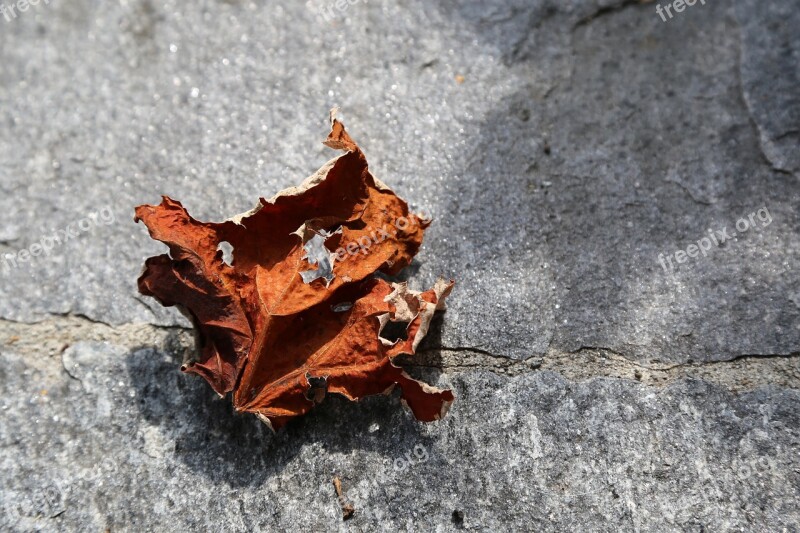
626 146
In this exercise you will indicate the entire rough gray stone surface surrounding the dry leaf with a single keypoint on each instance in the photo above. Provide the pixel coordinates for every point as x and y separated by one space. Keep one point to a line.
560 145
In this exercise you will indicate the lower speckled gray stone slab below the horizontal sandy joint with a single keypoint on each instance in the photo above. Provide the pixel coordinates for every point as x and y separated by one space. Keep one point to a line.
122 440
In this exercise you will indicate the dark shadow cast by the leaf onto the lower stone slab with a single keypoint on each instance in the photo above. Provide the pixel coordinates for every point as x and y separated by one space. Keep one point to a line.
212 439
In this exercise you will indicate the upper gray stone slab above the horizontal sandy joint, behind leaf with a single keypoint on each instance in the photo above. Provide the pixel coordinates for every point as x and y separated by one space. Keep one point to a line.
586 140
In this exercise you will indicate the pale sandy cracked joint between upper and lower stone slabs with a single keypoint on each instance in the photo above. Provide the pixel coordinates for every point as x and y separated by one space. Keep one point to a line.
737 373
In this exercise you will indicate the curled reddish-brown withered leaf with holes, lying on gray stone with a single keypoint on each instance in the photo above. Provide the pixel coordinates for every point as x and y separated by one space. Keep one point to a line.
298 312
